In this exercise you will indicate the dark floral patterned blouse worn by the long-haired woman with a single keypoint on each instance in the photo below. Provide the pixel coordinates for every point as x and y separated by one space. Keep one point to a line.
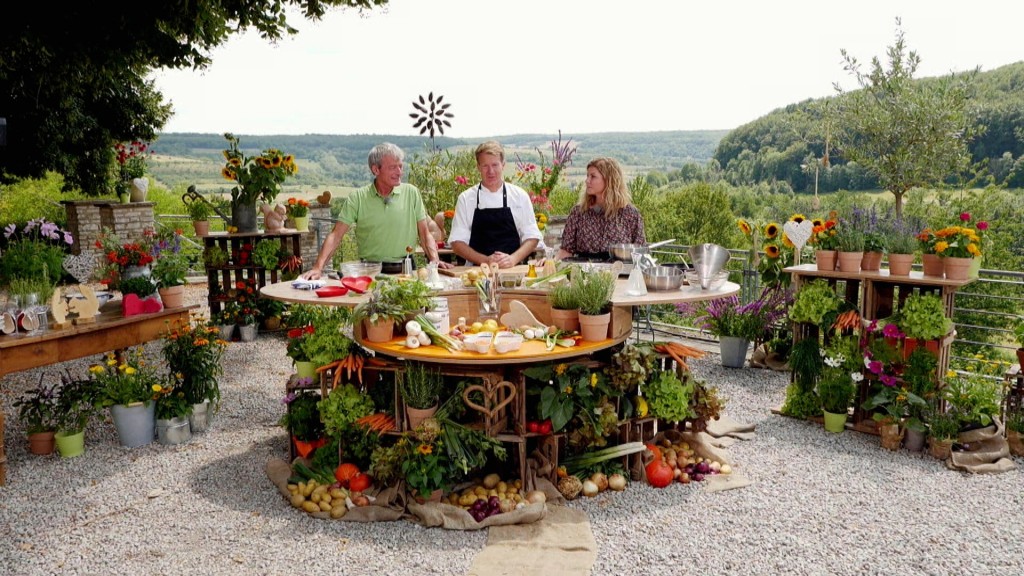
591 232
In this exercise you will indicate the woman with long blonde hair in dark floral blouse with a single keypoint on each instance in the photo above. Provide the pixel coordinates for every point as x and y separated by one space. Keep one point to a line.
604 217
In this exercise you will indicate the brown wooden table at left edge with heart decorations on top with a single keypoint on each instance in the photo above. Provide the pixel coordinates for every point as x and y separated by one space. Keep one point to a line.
111 332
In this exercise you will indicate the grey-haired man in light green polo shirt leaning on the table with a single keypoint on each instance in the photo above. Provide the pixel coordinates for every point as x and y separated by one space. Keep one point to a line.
389 217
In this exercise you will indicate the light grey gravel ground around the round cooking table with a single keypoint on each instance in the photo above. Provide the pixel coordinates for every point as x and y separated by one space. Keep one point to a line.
821 504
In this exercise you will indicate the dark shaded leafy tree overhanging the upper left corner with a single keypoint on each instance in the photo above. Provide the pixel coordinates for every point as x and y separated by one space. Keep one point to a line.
69 92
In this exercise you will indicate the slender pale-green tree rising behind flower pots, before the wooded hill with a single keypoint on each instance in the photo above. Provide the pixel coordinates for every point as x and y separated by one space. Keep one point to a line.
909 134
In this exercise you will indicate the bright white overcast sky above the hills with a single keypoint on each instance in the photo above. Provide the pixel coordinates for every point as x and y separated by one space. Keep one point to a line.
576 66
